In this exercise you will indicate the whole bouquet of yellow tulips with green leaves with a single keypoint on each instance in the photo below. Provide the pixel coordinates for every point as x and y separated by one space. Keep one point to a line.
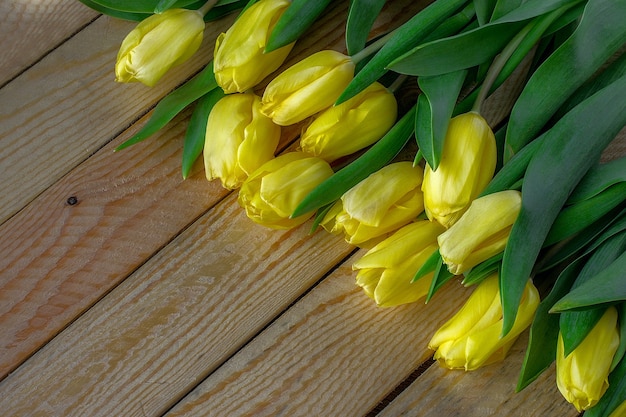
508 209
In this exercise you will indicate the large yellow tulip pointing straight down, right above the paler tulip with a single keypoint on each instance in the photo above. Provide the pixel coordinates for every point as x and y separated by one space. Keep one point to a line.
467 165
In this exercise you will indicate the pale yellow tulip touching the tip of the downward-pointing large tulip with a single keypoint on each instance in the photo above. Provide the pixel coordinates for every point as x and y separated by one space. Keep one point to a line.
481 232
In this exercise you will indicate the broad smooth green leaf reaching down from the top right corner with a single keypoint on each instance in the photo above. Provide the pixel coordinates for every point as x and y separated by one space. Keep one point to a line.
601 32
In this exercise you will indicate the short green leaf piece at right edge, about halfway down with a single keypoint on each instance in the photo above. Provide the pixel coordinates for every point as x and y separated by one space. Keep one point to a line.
598 179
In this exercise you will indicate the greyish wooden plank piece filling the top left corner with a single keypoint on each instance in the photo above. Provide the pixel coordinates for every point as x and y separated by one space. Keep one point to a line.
30 29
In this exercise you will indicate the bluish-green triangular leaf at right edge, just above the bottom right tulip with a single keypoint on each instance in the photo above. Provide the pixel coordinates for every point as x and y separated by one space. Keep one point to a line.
608 286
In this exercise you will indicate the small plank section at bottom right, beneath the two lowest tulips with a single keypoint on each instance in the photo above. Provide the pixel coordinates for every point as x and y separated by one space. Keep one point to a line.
488 391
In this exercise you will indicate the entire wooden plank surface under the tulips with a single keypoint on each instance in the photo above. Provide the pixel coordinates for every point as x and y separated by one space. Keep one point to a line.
153 295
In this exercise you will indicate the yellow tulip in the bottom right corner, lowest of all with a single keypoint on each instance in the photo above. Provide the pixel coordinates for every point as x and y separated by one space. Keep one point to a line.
582 376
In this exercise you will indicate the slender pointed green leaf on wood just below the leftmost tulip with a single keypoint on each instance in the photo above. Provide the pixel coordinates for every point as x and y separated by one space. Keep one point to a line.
174 103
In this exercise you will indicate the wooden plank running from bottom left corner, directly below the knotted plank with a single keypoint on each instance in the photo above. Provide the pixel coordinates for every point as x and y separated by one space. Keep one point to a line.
160 332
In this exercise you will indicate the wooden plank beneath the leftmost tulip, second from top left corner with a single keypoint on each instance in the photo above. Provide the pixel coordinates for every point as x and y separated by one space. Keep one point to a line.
67 106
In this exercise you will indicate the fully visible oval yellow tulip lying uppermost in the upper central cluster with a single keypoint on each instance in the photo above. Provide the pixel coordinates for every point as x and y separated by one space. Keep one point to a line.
307 87
